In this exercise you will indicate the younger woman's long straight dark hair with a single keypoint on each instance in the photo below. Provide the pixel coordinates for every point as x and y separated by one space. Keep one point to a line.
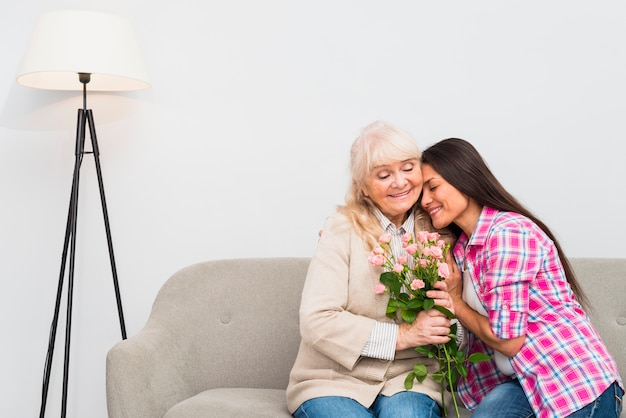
460 164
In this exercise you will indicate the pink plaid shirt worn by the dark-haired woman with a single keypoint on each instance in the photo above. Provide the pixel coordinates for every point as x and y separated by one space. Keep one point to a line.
563 365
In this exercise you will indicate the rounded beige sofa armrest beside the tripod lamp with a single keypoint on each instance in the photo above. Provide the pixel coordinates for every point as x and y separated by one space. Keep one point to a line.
144 375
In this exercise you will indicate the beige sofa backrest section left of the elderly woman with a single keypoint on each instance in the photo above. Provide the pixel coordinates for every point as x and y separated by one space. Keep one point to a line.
236 321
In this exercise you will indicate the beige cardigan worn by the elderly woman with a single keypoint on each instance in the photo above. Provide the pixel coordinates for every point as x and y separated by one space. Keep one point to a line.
338 311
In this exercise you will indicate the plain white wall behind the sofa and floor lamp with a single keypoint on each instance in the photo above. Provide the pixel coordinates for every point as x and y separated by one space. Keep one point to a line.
240 147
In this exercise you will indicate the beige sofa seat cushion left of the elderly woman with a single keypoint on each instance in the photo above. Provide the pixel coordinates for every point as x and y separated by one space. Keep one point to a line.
233 403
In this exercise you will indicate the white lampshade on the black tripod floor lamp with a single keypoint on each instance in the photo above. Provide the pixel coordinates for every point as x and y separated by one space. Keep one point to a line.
65 43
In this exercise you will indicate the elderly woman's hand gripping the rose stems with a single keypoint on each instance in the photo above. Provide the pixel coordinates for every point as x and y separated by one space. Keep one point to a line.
430 327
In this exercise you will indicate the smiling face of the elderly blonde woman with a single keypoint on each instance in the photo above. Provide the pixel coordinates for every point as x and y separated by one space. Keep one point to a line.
394 187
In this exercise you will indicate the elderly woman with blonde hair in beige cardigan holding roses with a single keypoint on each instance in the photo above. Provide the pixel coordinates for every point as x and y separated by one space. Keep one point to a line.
353 359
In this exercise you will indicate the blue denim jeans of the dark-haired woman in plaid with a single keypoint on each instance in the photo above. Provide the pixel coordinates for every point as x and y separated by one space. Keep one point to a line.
507 400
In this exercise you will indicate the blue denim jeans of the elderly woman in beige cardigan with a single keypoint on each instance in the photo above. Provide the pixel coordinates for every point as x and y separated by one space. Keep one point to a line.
400 405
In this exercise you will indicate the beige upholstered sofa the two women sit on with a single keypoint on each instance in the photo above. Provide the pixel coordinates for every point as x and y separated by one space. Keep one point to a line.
222 337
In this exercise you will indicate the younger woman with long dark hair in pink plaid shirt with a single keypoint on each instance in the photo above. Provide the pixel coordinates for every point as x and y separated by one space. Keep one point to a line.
520 299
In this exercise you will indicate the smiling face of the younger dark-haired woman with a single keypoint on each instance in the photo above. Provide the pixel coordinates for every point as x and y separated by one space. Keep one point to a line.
446 204
